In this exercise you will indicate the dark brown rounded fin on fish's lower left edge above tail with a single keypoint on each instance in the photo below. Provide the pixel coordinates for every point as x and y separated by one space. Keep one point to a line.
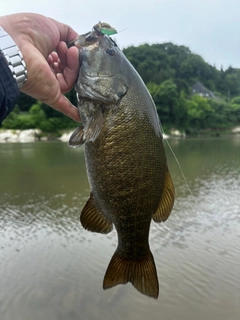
92 218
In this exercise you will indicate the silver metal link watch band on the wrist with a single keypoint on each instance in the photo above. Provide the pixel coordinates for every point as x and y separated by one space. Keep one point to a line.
13 58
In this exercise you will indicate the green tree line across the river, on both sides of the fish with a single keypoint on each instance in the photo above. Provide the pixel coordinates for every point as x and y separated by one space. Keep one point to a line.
170 72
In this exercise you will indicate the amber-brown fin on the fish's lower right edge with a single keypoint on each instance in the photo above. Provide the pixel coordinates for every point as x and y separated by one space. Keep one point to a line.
167 200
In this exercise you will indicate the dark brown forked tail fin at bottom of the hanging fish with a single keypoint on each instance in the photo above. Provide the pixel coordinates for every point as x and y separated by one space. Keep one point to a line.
142 274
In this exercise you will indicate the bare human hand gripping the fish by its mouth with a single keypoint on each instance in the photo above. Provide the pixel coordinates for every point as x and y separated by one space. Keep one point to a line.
52 67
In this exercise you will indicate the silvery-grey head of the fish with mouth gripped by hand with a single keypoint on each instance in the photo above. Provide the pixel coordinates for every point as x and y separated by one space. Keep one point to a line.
102 76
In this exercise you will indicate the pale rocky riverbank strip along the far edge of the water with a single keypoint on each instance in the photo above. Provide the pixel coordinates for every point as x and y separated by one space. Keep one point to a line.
32 135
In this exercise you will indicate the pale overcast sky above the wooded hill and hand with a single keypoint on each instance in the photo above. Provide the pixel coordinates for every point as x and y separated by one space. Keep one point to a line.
210 28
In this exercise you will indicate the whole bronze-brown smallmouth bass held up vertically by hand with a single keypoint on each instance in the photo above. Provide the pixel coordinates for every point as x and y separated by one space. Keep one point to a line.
130 183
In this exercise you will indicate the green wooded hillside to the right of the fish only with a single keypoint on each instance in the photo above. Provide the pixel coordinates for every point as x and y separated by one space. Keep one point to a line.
170 71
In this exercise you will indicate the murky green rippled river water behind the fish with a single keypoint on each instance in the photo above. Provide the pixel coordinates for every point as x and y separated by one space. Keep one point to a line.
51 268
